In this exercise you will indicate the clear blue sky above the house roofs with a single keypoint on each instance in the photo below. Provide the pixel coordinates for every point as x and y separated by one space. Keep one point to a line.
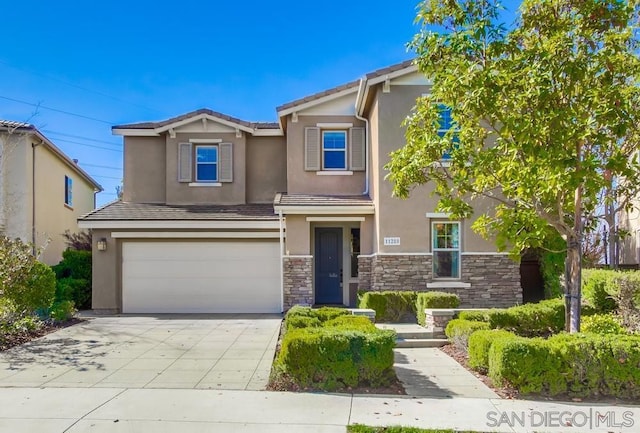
122 62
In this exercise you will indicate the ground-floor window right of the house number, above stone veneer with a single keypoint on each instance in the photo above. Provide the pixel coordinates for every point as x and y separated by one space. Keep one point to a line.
445 238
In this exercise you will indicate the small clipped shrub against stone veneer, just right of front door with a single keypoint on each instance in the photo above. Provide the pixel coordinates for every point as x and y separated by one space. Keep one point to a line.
390 306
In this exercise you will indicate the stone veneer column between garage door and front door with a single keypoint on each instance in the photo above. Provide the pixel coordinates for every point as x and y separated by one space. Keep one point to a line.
298 284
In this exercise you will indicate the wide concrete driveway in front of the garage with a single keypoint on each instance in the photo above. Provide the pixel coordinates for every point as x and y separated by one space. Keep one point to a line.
163 351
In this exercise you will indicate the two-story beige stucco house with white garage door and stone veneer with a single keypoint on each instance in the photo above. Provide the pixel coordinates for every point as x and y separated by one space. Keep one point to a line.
224 215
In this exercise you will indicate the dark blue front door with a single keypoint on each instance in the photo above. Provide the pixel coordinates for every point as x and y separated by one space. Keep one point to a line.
328 265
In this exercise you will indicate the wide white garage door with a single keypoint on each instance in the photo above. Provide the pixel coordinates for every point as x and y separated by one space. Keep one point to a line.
201 277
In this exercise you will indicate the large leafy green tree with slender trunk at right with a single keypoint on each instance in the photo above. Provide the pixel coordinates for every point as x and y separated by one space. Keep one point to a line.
545 117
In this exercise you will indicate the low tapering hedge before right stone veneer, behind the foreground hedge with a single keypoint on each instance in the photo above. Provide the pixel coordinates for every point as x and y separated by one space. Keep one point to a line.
528 320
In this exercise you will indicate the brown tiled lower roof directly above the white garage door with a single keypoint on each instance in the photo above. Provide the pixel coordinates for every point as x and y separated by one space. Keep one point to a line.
121 211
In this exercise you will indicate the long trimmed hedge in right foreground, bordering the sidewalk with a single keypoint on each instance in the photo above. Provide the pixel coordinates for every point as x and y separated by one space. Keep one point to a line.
577 364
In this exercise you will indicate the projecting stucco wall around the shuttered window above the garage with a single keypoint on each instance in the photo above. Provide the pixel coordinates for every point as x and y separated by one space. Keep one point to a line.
228 193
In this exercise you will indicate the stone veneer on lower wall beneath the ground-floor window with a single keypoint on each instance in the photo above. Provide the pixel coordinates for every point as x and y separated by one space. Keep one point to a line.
494 278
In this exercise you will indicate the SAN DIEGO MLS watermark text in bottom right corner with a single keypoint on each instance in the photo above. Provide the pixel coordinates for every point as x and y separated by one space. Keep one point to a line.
580 419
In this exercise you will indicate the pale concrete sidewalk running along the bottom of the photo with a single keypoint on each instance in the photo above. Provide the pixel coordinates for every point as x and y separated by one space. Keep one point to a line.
74 410
